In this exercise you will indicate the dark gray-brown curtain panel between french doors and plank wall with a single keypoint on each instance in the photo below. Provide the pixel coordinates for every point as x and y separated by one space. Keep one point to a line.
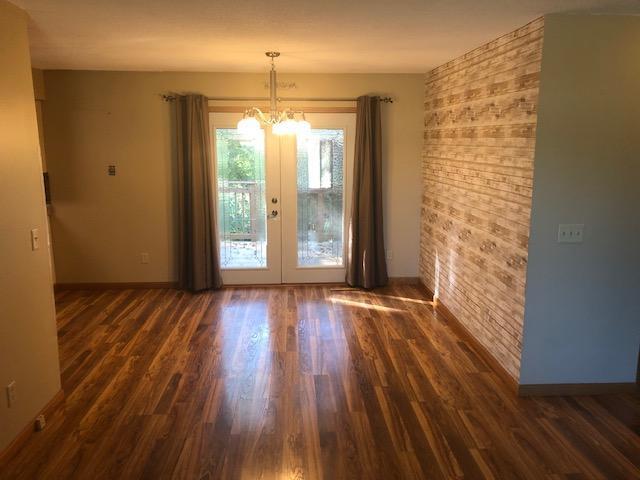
366 265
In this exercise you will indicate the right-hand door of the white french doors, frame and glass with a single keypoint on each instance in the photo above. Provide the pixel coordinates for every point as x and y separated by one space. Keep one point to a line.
316 172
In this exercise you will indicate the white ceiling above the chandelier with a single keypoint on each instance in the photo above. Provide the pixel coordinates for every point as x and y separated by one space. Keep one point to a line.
313 35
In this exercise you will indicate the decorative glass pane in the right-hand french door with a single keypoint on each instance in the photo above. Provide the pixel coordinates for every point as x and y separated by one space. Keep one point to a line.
320 202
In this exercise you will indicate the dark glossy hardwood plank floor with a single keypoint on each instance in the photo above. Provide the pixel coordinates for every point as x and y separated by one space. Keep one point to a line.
303 382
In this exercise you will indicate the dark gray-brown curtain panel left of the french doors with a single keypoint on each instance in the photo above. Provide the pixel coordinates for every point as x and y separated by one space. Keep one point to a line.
199 262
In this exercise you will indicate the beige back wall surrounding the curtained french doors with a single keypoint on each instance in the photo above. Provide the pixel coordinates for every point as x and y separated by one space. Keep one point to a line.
93 119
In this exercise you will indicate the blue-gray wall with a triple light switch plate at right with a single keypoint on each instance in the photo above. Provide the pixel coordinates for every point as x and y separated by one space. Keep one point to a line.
582 315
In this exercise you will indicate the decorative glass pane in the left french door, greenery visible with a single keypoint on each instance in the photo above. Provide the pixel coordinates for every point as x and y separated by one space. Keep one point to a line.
241 199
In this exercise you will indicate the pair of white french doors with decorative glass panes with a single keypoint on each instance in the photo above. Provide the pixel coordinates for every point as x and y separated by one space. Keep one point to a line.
283 201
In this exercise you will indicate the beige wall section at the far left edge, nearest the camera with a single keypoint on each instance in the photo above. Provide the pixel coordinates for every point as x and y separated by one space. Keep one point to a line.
28 343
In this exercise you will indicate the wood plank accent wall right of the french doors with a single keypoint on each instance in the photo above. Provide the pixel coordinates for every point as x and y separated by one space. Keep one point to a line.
477 170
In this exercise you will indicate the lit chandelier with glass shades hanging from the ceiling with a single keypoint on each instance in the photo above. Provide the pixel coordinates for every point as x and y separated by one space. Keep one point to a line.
285 122
